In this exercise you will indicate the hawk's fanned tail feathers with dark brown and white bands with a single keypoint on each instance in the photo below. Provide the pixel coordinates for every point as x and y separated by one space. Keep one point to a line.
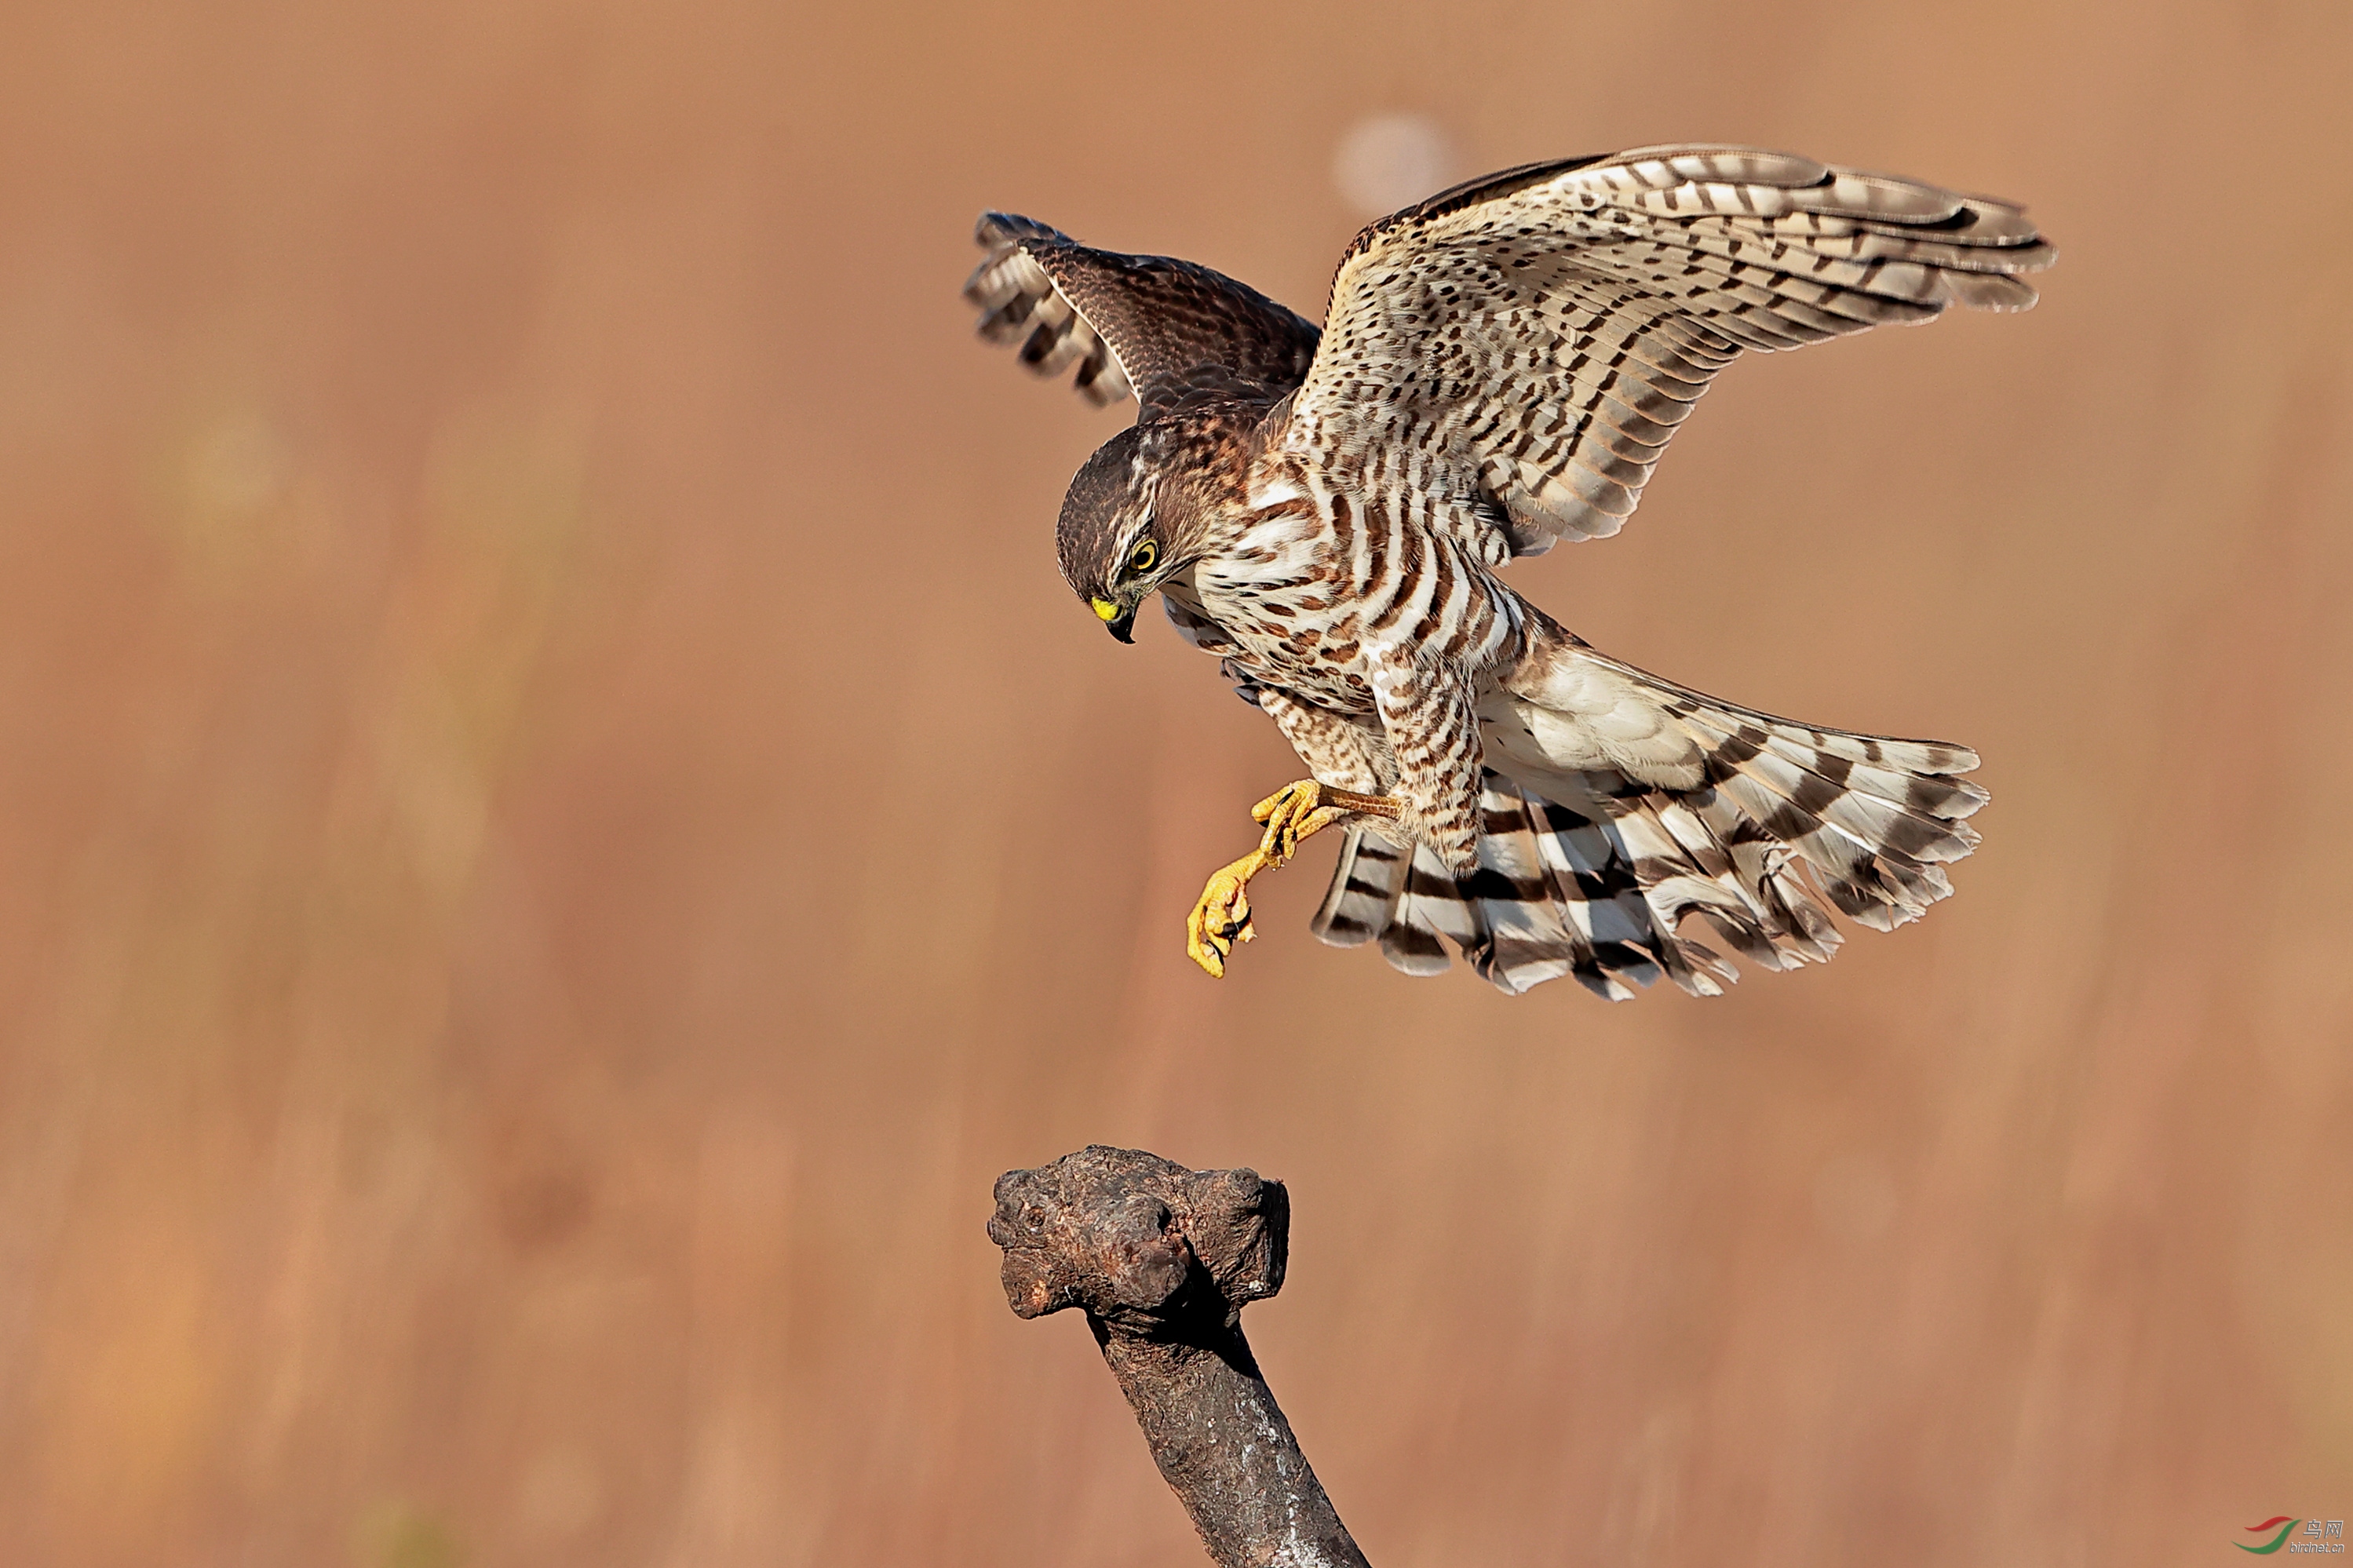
1597 886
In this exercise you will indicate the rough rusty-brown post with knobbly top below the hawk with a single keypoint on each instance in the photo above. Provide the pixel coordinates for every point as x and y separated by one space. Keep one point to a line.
1164 1261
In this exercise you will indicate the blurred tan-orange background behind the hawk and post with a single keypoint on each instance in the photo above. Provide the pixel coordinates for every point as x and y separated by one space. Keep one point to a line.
559 825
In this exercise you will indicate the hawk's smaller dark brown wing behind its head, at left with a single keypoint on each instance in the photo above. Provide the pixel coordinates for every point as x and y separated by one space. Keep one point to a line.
1142 326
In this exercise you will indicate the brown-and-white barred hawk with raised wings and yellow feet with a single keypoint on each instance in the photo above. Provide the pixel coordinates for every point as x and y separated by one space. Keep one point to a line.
1331 517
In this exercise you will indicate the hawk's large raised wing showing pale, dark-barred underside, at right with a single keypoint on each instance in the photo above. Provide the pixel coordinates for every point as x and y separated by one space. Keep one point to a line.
1542 333
